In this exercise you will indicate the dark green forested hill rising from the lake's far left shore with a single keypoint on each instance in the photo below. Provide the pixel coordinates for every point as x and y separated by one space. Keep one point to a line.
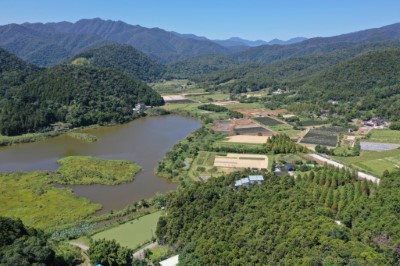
76 95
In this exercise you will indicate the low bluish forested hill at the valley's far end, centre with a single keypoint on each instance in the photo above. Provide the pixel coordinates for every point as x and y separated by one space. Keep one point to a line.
197 66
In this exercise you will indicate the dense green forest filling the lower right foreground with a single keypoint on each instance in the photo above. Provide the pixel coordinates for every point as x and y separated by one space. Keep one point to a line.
286 221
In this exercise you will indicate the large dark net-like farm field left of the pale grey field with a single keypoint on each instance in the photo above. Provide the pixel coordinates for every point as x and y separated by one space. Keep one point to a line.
323 136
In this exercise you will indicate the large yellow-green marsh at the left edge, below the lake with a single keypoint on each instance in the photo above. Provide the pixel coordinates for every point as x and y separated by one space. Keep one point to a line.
30 197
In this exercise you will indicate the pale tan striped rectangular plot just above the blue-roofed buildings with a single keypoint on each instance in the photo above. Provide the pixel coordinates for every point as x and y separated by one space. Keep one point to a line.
235 160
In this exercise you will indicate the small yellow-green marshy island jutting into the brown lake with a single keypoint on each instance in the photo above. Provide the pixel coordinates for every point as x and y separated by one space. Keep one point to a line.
89 170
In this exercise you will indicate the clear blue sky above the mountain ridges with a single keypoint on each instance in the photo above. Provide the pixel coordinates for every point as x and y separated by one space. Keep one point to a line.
217 19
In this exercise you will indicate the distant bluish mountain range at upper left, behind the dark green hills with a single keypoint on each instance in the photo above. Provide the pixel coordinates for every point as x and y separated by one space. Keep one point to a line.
50 43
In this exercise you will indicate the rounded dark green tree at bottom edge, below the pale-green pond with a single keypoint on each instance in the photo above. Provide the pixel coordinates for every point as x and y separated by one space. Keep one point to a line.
110 253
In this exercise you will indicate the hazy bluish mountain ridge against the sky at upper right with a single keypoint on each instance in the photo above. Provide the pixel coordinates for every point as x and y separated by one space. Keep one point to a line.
268 54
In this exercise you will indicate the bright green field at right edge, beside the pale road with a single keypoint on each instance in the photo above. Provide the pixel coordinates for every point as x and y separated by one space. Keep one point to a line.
374 162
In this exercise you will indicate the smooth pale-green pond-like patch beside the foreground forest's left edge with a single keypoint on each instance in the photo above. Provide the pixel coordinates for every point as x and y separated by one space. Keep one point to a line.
133 233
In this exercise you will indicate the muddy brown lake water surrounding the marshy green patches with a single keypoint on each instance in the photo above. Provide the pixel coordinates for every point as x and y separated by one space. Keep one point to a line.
144 141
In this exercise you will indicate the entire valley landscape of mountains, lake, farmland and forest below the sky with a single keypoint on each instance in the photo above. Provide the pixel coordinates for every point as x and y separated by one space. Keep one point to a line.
267 153
